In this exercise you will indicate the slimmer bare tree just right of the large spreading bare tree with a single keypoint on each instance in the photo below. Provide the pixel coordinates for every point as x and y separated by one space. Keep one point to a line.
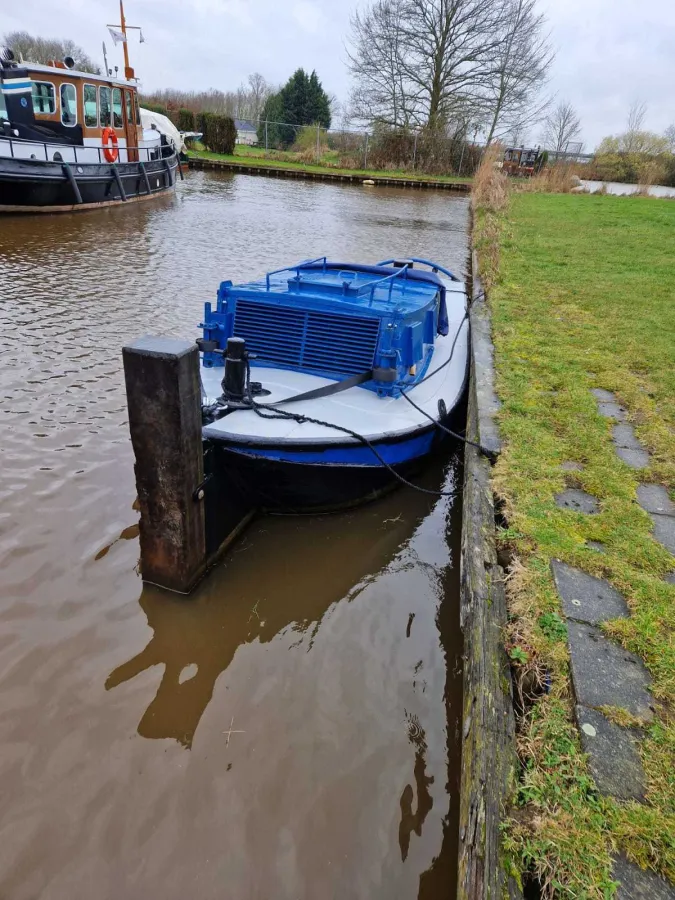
520 65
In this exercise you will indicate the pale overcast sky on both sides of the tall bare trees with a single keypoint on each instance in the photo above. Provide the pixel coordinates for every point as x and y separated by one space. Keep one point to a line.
609 52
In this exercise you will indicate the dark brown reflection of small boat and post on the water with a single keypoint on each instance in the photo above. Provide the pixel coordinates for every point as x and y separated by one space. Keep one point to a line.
242 602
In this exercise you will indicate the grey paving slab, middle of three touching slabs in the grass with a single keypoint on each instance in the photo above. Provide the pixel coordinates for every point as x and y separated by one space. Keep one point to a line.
605 674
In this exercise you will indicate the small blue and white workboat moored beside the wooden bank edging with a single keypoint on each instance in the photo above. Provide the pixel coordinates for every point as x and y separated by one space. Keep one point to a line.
324 380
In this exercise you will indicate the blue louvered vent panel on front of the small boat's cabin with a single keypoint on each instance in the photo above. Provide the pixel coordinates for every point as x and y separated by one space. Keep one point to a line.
307 339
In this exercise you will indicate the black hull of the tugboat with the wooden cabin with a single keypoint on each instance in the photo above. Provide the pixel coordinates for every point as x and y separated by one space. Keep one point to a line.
37 186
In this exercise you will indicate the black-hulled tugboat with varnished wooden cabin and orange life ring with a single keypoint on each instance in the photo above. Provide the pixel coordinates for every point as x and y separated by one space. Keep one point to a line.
73 140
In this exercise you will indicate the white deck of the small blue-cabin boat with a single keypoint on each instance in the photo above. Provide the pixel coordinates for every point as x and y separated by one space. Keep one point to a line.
357 408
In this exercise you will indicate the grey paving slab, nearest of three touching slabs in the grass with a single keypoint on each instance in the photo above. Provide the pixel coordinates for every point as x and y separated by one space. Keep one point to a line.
613 756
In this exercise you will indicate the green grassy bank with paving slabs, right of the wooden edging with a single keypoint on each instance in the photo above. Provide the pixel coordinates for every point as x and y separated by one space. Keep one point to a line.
581 291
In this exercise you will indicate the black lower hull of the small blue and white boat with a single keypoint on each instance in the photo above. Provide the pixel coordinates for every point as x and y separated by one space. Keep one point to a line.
277 486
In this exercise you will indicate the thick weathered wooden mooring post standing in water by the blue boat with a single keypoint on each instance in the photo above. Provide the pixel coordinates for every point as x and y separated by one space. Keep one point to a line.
164 402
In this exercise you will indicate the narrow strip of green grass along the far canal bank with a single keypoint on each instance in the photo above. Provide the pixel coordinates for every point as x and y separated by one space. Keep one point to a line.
254 156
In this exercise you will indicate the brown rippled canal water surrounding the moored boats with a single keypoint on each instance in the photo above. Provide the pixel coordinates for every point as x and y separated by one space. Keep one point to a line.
292 729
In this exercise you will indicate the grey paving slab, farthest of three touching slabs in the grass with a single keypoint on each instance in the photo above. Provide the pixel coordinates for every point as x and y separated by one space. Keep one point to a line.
586 598
